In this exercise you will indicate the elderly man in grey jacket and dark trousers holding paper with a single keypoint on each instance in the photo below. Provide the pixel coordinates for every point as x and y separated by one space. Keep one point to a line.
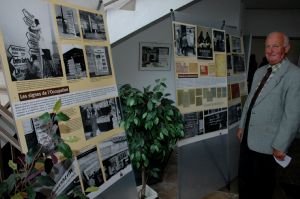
270 120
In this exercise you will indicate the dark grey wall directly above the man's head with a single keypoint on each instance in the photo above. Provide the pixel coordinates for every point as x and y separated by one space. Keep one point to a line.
261 22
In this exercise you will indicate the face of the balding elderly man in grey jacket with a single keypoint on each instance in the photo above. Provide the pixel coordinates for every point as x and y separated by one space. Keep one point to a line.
275 50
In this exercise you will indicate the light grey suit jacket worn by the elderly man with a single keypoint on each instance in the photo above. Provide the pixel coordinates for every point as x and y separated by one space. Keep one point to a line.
275 117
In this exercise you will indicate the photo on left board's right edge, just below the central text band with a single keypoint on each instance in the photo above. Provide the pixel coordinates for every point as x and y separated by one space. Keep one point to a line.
99 117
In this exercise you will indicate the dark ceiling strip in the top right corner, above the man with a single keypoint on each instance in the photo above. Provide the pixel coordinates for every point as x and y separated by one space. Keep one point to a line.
272 4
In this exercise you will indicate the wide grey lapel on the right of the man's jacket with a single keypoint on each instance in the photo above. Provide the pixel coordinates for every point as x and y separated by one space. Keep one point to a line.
271 84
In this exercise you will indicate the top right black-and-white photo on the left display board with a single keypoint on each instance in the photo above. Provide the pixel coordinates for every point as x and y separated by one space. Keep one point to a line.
92 26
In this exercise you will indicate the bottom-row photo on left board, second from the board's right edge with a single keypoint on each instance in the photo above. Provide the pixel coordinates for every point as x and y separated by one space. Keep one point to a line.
90 170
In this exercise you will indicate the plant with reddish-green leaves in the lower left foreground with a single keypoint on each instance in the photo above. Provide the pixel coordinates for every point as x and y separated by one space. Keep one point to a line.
30 171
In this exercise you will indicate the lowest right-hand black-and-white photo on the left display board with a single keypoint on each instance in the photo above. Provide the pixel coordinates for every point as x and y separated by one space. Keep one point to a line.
115 155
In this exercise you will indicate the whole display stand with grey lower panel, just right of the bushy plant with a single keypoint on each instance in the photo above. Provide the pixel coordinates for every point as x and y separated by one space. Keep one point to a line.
207 156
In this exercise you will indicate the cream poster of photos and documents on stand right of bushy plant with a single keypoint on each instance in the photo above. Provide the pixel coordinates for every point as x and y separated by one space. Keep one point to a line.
201 80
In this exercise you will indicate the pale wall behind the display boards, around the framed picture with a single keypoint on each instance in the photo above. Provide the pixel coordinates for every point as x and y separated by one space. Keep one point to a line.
126 53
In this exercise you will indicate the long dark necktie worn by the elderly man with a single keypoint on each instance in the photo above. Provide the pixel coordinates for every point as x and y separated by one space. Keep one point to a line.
256 94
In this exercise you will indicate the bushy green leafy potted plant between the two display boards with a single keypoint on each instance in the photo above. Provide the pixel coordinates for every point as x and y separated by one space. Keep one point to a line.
152 124
